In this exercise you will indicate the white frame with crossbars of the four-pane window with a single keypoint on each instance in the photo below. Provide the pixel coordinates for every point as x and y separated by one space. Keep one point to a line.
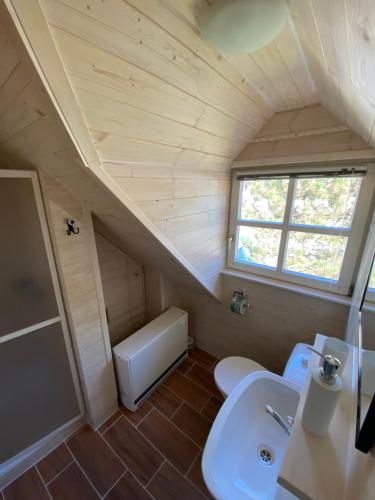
355 234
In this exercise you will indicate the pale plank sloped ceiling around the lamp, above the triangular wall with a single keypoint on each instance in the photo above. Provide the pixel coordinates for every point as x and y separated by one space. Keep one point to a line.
153 91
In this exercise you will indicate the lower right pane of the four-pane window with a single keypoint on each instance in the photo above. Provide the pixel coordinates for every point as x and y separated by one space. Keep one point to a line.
315 254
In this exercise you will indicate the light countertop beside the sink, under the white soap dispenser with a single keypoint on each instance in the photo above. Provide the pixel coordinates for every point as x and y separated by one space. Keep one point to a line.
316 468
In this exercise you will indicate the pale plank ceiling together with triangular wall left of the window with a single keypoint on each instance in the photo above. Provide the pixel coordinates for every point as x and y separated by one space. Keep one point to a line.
167 113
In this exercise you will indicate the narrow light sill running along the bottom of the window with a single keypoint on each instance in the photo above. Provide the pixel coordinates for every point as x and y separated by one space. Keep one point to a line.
291 287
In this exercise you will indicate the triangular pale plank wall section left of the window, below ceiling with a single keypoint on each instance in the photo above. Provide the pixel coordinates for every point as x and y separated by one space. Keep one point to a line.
190 208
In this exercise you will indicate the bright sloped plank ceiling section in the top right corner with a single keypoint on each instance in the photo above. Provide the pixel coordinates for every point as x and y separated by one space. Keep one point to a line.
338 39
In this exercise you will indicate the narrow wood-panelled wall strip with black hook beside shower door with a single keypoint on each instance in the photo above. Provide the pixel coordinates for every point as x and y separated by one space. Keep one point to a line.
82 300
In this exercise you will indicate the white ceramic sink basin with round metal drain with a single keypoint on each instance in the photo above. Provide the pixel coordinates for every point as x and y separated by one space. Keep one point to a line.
246 446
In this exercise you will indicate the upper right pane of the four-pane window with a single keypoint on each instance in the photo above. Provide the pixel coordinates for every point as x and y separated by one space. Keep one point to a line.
325 201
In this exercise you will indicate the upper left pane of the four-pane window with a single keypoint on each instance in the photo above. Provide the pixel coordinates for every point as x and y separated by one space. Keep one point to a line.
264 200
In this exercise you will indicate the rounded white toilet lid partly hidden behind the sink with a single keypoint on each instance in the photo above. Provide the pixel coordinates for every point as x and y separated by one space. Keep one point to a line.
229 371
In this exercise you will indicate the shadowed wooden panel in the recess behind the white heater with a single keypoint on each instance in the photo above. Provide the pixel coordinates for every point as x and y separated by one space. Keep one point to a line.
123 288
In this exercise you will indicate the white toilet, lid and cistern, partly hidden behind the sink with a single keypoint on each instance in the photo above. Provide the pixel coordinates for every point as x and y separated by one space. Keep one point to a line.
230 371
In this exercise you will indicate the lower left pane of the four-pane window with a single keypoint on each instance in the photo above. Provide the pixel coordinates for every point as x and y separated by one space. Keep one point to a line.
258 246
